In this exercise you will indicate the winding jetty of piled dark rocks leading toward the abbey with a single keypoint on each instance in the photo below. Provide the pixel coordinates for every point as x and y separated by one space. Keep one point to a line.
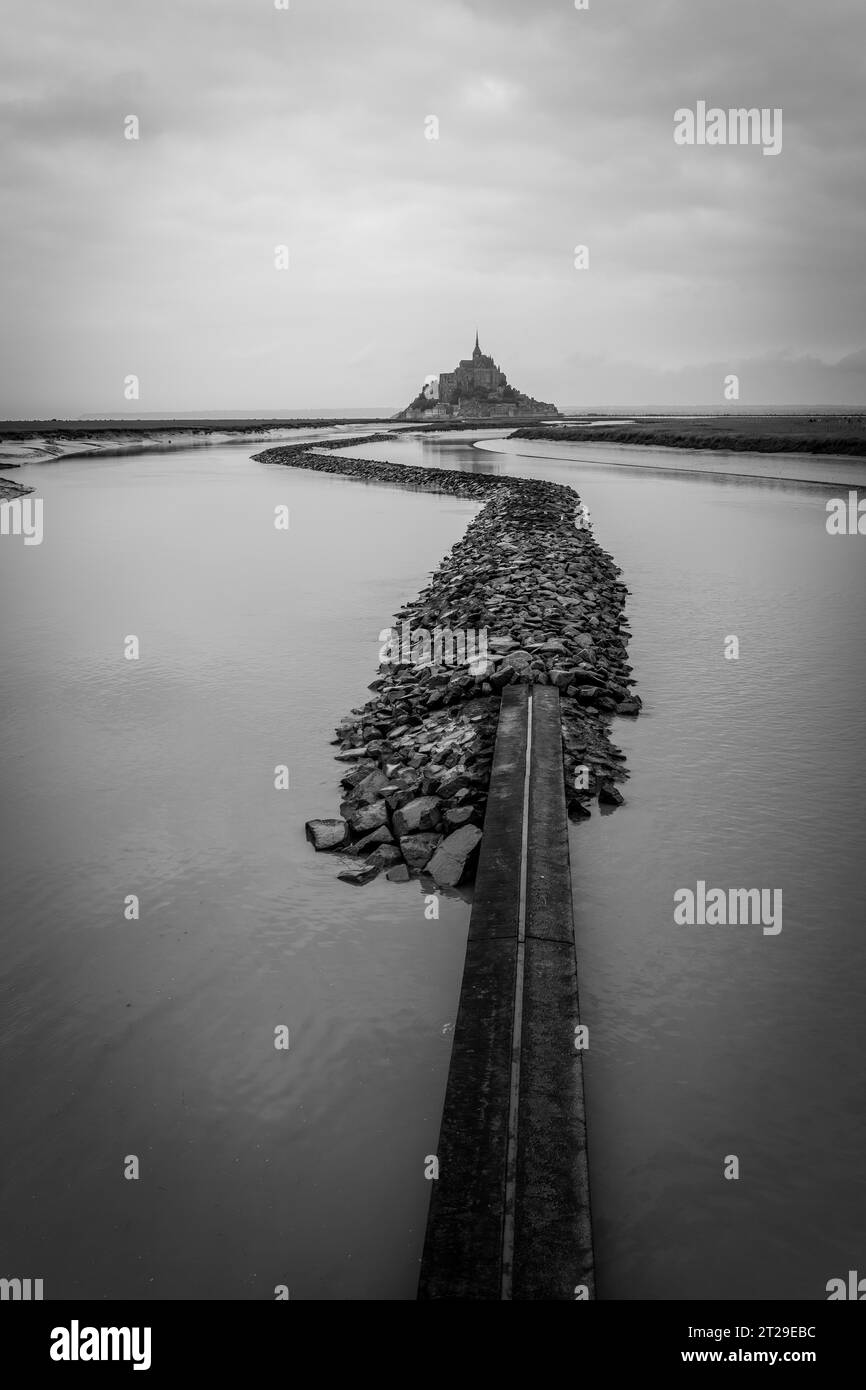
550 603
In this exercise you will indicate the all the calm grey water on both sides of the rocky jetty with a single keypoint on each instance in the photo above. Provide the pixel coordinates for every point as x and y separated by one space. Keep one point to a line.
156 1038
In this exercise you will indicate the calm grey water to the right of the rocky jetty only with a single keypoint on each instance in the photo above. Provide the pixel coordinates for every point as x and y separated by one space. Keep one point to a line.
714 1042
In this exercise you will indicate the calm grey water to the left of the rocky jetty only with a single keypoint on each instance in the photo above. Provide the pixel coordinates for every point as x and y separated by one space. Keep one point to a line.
156 778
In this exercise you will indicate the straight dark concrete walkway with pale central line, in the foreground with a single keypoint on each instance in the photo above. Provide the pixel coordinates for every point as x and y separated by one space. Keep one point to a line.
509 1214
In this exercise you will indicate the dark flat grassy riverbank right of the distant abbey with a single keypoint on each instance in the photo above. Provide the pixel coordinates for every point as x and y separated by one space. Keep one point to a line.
822 434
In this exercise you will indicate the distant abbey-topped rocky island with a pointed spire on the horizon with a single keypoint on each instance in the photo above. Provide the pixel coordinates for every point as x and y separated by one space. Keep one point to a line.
477 390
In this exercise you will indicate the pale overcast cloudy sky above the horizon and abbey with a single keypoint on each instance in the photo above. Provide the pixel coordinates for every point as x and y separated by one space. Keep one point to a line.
262 127
